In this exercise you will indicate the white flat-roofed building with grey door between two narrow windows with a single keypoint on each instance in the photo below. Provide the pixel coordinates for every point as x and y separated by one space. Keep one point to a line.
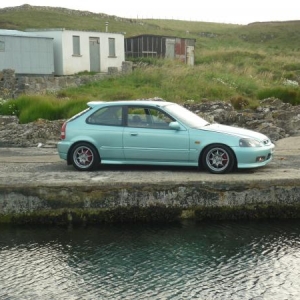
79 51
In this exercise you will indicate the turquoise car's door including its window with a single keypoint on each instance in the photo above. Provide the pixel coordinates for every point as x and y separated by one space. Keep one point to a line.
148 137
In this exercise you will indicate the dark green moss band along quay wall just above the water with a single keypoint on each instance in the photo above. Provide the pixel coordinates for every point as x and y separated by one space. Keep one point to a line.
152 214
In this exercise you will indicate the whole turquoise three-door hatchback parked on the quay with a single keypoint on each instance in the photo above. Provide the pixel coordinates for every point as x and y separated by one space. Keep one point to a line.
157 133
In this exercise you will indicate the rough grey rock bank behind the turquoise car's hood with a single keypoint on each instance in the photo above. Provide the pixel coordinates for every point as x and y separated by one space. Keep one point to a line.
272 117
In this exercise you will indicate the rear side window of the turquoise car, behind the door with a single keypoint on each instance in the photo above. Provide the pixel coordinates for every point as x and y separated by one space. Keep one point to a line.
111 115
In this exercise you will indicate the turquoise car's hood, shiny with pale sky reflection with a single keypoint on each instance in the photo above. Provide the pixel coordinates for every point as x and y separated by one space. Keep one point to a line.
237 131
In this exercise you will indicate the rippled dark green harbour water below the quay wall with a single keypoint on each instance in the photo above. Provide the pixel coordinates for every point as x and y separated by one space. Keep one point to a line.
217 260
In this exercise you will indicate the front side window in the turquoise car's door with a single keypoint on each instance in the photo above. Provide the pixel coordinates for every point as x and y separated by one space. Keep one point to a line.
148 118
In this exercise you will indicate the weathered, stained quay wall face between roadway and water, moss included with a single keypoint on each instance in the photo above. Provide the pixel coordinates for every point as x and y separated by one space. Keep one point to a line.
42 203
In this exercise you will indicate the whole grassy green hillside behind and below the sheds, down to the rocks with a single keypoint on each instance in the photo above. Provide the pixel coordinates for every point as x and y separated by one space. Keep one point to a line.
240 63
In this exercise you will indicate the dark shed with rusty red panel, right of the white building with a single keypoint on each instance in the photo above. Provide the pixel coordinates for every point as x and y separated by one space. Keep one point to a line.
161 47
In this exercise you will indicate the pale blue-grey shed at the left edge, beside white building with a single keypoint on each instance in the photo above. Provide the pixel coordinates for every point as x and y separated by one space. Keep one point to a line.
26 53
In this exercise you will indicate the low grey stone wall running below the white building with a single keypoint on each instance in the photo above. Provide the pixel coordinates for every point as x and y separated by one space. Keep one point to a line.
12 86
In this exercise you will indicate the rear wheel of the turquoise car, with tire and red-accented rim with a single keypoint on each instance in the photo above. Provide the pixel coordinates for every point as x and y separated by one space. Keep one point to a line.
85 157
